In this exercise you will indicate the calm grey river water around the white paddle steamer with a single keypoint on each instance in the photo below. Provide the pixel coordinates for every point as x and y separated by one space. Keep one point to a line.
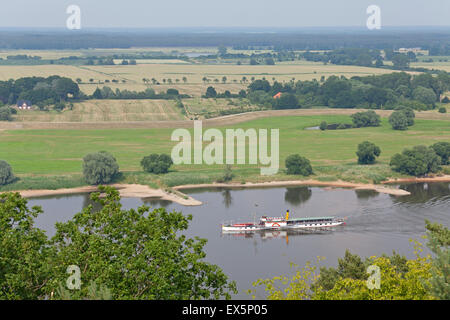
376 224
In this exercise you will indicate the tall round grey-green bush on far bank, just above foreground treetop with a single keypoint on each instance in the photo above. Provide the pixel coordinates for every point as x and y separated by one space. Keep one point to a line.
100 168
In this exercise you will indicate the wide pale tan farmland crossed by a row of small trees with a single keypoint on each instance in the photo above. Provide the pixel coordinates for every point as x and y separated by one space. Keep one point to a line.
198 76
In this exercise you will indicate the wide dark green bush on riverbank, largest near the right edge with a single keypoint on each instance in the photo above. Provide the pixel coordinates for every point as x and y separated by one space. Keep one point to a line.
418 161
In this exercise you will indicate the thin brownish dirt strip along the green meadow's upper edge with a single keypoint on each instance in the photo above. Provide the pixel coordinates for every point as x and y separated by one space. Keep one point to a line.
215 122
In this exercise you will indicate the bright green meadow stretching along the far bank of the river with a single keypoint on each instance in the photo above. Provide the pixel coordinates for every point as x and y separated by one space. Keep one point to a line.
39 156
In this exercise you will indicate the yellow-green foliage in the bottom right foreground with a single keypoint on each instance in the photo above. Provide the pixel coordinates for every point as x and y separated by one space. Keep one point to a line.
400 279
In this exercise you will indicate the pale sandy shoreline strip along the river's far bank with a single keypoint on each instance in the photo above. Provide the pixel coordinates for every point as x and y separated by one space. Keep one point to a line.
142 191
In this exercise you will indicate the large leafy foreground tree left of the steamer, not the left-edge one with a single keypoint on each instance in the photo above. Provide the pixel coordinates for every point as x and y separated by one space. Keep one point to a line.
137 254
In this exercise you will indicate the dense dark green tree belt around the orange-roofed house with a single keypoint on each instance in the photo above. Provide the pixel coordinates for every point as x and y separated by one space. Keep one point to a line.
419 92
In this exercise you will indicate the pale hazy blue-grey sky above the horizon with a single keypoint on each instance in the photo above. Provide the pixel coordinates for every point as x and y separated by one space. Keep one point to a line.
225 13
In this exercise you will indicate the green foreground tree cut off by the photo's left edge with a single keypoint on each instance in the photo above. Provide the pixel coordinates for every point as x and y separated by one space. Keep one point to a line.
24 251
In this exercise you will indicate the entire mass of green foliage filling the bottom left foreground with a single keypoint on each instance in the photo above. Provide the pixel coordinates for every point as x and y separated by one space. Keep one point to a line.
122 254
